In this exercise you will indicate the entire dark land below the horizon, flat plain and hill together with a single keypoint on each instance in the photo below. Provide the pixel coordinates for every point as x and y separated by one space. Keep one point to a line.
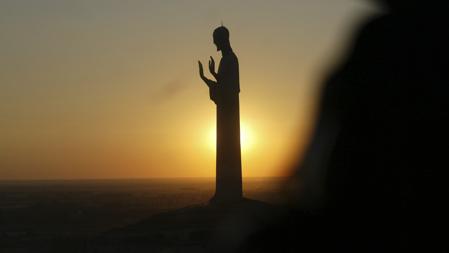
167 215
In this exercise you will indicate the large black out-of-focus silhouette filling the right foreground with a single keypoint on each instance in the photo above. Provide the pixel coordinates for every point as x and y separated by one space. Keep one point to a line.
375 177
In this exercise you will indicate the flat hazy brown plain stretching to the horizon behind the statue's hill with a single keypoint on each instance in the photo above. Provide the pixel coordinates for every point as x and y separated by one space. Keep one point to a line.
40 213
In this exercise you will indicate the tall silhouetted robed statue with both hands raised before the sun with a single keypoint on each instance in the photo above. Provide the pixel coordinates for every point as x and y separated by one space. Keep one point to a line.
225 93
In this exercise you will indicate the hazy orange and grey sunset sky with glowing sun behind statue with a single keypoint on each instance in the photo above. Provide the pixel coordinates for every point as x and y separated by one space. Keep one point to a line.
110 88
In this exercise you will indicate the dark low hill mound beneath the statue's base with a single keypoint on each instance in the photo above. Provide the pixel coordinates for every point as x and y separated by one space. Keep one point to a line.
200 228
